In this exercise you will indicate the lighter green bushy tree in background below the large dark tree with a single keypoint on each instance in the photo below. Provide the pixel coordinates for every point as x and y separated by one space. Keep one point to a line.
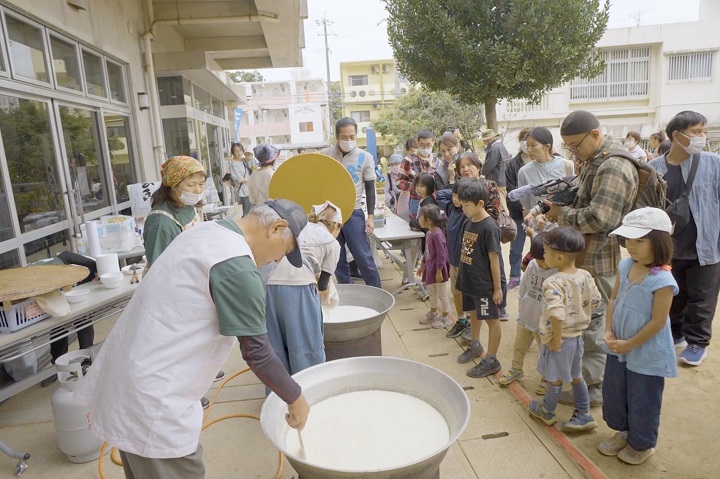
422 109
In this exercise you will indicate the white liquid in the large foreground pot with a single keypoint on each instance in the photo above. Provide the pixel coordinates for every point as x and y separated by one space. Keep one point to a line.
370 430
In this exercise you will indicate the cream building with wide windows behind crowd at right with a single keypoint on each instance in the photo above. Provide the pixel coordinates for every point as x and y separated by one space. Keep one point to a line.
652 73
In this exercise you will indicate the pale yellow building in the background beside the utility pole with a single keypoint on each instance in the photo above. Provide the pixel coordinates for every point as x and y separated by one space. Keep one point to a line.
366 88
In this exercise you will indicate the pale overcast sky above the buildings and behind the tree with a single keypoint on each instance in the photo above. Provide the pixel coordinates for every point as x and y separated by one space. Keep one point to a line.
360 32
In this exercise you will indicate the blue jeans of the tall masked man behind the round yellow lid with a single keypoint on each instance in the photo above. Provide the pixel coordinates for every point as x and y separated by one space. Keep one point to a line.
353 234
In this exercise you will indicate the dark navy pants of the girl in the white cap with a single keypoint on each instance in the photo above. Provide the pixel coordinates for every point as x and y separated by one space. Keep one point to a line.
631 402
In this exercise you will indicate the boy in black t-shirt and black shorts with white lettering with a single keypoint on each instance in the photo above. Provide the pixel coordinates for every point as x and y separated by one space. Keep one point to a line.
481 277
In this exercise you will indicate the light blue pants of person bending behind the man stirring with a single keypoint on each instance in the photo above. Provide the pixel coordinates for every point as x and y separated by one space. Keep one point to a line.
295 325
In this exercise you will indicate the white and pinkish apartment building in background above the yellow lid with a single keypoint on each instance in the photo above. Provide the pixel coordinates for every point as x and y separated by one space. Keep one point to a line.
286 114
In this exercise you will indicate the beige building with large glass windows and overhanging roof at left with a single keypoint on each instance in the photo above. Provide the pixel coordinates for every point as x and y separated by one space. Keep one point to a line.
95 95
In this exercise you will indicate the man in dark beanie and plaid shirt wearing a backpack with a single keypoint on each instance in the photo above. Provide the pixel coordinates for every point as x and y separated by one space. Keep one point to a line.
607 189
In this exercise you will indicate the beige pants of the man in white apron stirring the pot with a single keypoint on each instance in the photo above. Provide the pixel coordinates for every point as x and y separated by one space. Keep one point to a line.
188 467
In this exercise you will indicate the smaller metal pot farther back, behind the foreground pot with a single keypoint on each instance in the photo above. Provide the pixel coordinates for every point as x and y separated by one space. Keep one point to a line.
359 295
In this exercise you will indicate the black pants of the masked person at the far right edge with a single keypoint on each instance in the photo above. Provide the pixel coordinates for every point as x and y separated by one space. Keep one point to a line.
693 308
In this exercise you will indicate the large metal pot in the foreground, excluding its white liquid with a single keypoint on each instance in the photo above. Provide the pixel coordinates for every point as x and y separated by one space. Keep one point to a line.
372 373
